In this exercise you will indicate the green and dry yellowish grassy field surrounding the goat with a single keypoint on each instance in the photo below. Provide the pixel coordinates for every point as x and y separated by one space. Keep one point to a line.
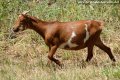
25 57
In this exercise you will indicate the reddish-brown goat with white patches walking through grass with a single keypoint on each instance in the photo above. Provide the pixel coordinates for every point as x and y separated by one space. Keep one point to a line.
66 35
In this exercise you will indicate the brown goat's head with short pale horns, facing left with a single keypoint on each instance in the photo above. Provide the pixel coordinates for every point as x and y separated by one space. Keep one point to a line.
21 22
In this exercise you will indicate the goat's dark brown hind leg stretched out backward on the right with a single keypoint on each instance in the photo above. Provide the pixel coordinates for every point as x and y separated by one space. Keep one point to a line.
100 44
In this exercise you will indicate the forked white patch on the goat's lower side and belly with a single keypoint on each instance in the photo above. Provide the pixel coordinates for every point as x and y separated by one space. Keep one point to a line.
69 42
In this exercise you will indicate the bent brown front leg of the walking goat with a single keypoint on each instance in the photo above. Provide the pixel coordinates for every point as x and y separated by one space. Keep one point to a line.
51 54
